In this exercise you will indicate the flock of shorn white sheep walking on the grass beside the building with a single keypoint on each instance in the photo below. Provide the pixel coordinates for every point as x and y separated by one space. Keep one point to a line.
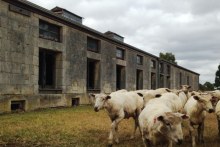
159 113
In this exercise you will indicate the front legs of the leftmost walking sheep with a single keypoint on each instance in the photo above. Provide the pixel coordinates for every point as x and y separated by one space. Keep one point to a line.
113 133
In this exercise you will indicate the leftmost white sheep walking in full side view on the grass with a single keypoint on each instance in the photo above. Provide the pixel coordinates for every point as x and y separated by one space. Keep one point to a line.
119 105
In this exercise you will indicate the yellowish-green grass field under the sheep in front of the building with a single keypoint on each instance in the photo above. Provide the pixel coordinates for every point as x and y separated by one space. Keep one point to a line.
78 127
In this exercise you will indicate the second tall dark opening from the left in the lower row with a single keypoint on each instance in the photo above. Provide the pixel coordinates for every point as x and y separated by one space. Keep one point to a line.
93 74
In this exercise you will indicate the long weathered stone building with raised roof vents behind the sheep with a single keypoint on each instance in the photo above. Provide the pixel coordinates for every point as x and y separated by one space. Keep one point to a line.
48 58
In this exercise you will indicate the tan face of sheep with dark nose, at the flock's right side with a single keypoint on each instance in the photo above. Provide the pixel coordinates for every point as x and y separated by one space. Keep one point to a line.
204 102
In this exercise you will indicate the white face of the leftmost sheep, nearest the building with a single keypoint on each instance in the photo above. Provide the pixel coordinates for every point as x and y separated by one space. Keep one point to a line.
100 100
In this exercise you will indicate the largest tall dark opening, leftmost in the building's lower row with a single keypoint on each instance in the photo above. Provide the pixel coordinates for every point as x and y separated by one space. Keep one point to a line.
46 69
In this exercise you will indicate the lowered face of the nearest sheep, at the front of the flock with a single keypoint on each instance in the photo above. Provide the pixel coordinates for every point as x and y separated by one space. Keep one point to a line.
171 126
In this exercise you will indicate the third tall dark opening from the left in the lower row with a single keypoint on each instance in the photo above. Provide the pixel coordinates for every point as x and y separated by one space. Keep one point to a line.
120 77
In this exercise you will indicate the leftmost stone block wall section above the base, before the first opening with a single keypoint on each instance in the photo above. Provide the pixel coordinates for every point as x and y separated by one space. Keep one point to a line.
17 54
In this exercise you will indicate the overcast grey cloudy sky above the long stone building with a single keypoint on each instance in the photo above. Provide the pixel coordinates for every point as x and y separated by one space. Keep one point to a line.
190 29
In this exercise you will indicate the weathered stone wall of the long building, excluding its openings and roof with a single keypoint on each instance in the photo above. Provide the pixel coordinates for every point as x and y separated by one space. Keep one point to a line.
19 63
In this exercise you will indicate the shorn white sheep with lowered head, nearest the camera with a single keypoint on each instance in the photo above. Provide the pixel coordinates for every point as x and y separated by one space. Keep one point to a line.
158 124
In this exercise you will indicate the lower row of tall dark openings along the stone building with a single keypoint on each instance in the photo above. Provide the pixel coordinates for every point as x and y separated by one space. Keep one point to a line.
48 71
